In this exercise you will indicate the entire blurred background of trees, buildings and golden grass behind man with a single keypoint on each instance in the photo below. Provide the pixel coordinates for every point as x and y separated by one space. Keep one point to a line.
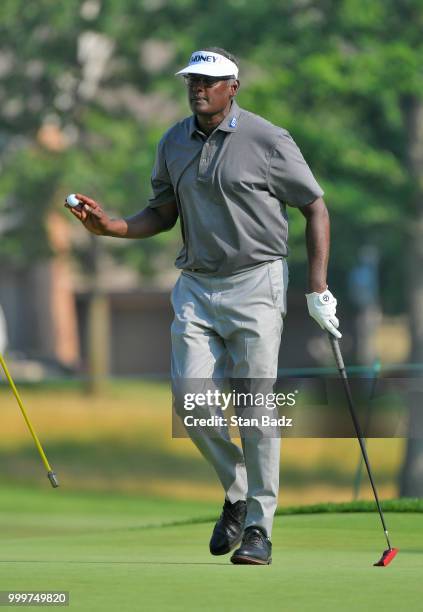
86 91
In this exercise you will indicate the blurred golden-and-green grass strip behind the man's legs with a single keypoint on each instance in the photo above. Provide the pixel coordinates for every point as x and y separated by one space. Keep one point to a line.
122 441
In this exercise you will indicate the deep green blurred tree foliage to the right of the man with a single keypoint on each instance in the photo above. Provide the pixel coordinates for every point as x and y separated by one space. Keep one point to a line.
347 78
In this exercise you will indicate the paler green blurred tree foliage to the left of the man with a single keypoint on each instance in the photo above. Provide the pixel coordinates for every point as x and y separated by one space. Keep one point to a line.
80 114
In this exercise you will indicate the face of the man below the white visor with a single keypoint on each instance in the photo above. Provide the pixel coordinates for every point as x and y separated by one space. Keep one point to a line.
210 95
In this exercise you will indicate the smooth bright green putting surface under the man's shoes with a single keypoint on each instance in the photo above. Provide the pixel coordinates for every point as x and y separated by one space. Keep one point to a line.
115 553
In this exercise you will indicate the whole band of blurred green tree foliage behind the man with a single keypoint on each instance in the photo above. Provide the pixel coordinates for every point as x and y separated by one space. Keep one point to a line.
335 73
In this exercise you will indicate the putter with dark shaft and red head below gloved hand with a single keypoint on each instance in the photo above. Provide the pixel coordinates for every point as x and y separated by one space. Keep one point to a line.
390 552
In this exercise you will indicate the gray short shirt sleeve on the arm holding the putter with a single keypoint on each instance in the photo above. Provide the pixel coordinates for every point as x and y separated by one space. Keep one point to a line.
289 177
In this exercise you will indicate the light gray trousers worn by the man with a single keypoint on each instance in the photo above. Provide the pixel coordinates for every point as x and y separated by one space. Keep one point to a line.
230 326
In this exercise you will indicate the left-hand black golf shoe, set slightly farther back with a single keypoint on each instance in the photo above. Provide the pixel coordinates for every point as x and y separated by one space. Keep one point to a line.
227 532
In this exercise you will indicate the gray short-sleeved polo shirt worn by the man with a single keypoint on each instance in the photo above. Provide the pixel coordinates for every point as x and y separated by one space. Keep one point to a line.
231 190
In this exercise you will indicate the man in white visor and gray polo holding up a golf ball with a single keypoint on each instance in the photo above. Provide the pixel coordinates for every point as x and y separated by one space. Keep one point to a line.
228 175
